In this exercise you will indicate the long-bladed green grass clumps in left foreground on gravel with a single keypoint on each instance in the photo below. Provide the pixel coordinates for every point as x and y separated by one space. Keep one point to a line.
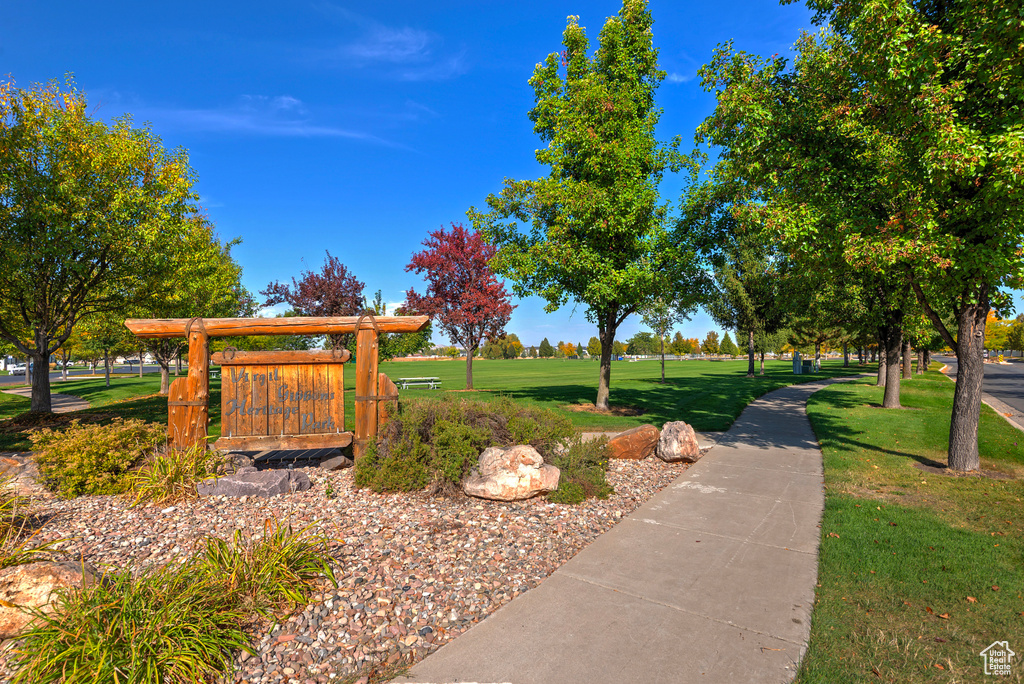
177 624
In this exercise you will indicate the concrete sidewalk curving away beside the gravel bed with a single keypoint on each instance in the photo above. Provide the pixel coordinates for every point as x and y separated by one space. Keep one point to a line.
711 581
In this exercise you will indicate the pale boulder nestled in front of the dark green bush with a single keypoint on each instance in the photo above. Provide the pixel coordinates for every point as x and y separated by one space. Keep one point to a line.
510 474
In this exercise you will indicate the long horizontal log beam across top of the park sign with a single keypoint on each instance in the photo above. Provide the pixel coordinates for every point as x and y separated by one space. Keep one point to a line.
162 328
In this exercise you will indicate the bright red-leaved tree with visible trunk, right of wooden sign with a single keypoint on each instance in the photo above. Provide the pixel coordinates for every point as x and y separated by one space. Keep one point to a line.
463 294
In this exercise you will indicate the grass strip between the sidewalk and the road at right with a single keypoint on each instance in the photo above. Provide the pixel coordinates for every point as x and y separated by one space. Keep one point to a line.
919 572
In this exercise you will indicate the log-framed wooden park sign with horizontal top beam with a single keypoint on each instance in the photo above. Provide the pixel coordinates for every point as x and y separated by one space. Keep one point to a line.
279 400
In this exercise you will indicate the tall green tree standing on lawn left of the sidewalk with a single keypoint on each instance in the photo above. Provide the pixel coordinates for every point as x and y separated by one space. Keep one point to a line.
599 233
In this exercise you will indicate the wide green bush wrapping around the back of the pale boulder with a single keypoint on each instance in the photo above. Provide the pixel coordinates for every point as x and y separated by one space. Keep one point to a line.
438 442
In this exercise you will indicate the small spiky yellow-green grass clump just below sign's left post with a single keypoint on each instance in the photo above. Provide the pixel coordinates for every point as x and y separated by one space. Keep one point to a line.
170 478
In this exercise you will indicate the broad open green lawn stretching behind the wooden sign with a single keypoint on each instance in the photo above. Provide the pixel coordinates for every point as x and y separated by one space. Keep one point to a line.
707 395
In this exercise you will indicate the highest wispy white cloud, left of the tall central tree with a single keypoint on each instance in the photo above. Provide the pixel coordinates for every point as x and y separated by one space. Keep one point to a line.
404 53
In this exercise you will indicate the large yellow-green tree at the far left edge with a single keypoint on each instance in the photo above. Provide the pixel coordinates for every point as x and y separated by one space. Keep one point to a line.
86 210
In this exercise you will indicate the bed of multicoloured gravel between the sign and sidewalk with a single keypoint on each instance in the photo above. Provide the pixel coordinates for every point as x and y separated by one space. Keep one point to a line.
414 572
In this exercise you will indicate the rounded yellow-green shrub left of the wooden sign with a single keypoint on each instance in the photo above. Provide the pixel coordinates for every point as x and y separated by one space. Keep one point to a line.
94 459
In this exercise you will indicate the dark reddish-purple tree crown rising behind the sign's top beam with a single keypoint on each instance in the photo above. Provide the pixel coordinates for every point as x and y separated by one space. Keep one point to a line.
331 292
